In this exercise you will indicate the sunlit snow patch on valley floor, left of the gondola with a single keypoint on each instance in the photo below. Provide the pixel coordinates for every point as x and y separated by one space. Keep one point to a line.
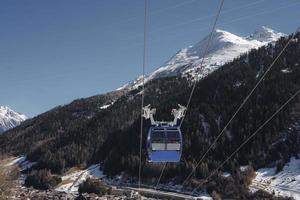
71 181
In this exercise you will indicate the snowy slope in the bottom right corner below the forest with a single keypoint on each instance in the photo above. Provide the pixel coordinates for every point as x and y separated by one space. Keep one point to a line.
284 183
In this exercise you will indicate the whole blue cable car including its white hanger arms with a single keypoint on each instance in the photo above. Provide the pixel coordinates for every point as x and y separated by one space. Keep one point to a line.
164 141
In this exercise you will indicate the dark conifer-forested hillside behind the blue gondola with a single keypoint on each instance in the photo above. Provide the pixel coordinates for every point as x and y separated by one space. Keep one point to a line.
81 133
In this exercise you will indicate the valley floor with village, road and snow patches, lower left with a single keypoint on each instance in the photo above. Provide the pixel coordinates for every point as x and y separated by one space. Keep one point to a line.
68 189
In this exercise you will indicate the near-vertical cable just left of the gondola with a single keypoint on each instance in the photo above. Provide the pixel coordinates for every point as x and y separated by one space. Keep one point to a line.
143 86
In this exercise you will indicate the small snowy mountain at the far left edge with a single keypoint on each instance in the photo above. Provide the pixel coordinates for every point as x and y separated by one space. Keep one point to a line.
9 118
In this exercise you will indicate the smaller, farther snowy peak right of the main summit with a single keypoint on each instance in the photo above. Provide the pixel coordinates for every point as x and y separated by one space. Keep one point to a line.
265 34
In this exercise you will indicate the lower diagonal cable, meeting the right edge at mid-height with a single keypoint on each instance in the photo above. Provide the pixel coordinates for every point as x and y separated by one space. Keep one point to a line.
248 139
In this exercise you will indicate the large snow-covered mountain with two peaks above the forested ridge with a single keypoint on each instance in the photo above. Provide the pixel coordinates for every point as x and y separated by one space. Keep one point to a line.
224 47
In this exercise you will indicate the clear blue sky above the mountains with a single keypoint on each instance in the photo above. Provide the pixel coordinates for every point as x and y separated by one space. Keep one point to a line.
54 51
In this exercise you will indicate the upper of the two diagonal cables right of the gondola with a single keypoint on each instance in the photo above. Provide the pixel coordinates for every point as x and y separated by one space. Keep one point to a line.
241 106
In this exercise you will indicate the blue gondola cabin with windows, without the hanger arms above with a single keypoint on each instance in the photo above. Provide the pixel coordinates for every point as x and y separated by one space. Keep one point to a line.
164 143
